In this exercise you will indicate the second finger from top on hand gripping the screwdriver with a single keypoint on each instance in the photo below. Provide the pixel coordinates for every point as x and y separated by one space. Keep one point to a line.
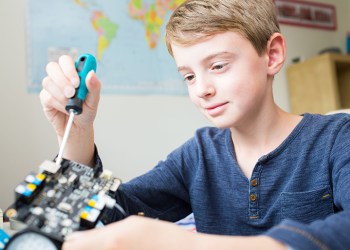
58 78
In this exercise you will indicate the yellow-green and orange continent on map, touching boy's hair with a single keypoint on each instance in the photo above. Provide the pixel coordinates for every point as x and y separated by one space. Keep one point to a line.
152 15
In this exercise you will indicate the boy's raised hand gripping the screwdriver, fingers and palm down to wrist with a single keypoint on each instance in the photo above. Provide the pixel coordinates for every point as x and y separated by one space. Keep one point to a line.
59 85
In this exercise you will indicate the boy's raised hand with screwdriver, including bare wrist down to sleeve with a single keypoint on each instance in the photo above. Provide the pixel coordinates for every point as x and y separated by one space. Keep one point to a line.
59 85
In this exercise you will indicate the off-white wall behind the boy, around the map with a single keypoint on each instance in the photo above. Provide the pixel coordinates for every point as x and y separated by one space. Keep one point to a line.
132 132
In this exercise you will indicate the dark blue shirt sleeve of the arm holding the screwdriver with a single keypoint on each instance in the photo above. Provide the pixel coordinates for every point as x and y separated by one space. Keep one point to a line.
160 193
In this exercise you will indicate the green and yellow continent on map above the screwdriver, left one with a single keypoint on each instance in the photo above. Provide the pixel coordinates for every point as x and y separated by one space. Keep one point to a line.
106 31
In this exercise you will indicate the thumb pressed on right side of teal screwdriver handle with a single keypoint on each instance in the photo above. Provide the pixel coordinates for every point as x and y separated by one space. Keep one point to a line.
94 87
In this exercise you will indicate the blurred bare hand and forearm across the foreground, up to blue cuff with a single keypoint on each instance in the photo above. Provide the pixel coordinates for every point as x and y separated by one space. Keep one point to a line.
136 232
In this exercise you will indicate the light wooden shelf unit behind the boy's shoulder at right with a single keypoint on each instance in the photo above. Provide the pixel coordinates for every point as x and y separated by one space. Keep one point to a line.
320 84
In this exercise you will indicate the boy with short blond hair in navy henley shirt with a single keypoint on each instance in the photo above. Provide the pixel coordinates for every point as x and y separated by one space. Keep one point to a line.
260 179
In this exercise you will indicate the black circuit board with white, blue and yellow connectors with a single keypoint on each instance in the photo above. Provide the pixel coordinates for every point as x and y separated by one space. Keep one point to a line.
60 199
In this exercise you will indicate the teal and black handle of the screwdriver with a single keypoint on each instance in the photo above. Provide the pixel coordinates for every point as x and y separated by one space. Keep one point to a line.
84 64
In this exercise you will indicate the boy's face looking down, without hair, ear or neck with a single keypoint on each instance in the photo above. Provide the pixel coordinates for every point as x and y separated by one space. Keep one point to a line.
226 78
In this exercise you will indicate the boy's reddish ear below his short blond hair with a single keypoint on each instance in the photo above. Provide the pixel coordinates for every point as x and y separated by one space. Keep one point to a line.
276 53
